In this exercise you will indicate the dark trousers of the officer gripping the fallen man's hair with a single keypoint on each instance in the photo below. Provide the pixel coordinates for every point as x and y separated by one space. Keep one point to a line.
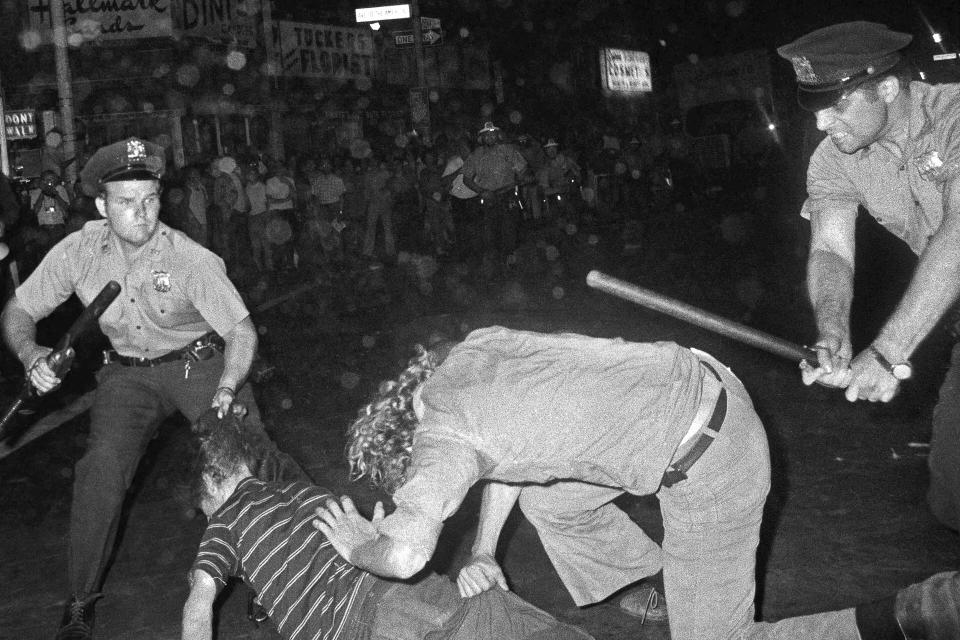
130 405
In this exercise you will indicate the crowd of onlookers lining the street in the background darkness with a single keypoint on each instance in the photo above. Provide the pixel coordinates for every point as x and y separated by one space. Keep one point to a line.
303 213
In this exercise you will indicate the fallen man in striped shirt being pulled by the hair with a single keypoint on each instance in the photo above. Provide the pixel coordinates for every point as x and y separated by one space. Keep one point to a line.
261 532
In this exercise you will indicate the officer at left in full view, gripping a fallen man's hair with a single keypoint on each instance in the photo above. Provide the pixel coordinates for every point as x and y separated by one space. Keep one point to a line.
182 341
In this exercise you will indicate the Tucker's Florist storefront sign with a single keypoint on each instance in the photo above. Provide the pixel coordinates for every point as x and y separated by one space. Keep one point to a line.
320 51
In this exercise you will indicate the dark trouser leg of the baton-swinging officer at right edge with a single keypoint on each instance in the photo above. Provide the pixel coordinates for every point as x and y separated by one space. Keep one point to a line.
944 493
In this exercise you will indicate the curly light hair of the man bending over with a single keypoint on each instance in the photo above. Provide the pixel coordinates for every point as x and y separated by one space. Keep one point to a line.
380 440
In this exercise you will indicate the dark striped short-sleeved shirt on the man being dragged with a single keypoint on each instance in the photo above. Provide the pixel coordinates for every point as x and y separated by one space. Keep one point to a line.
264 535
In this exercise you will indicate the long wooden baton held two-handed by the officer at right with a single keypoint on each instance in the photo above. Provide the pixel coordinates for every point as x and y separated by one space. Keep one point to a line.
699 317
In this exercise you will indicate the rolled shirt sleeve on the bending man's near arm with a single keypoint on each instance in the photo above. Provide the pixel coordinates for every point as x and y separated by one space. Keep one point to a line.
441 472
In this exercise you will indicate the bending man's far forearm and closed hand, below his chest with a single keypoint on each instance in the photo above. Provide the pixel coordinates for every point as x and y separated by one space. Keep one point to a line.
481 571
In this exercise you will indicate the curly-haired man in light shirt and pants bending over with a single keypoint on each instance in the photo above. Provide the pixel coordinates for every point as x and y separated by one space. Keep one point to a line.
565 423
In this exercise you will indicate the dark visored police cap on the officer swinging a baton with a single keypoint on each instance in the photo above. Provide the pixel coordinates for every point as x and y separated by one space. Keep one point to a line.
831 62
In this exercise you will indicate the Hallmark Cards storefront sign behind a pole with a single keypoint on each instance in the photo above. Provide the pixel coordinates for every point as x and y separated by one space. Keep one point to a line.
105 19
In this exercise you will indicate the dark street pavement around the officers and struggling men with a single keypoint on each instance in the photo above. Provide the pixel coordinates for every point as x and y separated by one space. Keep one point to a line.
846 520
